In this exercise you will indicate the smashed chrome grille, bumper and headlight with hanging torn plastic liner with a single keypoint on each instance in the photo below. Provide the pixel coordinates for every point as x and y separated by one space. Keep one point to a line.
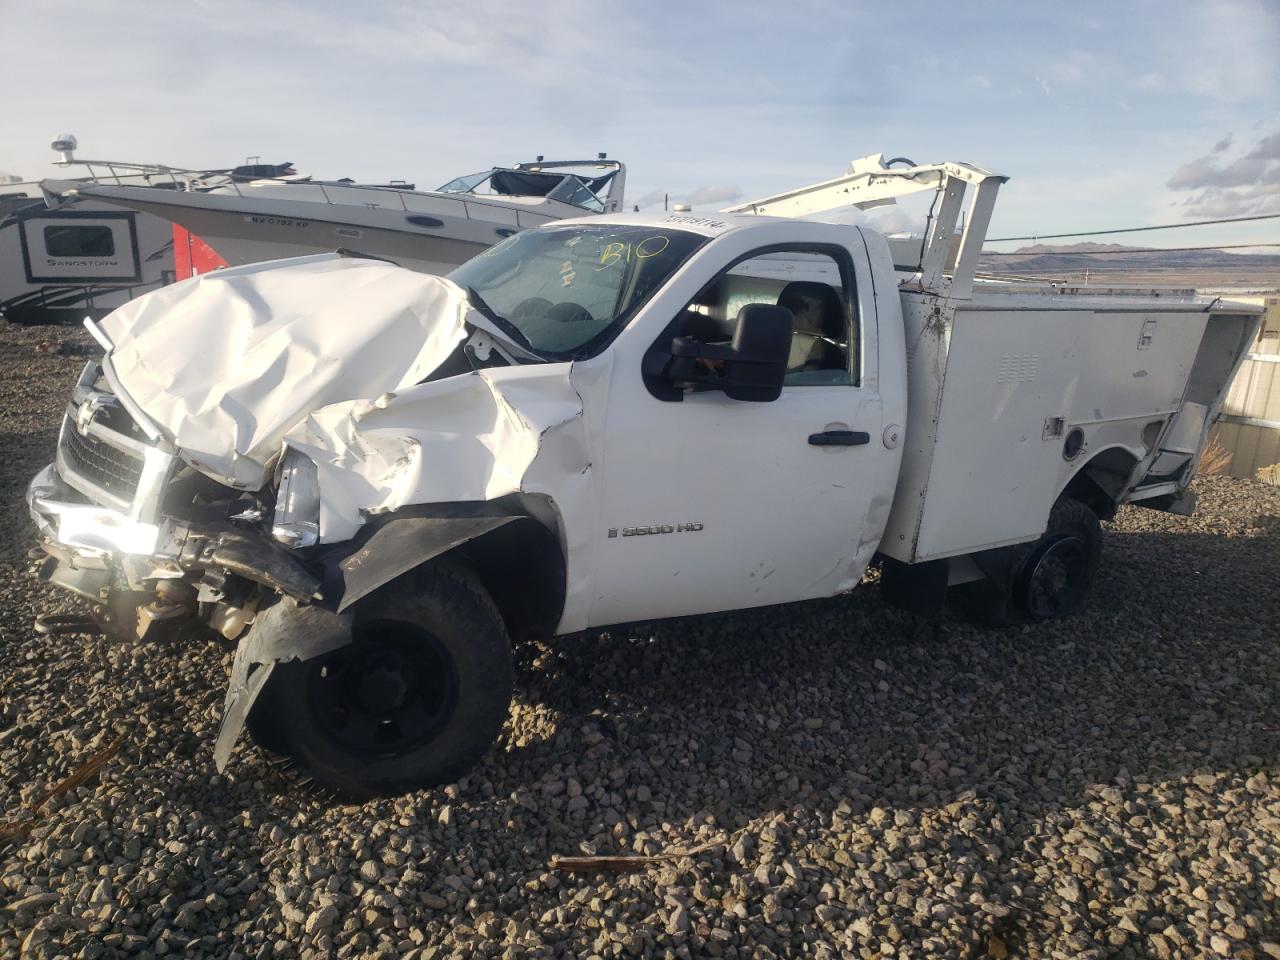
149 541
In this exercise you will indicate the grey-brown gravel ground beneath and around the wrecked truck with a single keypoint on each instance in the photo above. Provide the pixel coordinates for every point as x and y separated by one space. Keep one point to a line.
868 784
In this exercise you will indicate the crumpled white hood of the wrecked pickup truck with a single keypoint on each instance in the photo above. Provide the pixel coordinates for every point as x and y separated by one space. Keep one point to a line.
226 364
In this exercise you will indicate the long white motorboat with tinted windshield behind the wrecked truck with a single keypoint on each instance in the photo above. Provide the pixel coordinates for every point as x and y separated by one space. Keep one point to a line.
427 231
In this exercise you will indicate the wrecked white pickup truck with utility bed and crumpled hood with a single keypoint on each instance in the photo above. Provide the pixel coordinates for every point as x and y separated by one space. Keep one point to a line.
374 479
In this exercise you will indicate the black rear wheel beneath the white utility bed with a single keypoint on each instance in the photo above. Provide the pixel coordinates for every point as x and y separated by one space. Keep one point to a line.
1049 578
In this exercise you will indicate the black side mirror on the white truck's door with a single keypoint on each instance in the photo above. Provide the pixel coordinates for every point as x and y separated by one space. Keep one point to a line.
752 368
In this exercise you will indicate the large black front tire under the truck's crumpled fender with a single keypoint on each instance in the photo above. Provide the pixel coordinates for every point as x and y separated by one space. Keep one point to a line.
415 701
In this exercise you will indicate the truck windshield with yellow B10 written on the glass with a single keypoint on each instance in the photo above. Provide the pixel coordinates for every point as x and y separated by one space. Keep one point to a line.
569 290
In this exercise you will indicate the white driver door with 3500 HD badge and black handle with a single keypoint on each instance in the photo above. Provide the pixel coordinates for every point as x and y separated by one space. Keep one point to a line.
711 504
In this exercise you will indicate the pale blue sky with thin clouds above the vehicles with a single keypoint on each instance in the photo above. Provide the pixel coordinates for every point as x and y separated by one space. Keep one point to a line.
1103 115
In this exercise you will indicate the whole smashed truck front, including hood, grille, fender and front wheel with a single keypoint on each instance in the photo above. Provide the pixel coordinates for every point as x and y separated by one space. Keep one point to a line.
369 511
